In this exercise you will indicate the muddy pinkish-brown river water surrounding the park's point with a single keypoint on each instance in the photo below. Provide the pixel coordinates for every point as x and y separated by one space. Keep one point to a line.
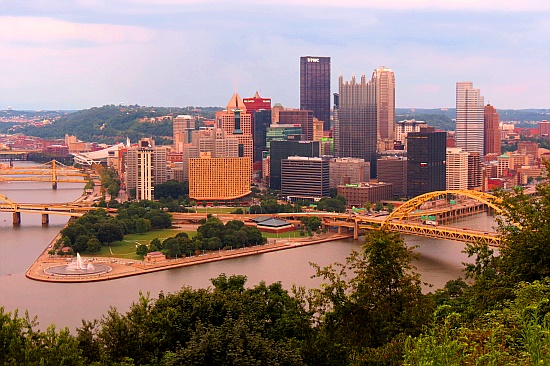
67 304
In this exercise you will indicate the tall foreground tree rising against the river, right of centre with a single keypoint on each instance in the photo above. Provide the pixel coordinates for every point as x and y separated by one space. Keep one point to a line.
373 299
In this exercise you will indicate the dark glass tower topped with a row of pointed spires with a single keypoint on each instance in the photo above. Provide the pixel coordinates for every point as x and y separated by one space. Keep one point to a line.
355 122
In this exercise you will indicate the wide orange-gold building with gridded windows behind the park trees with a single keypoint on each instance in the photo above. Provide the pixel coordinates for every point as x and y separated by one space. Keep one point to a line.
218 179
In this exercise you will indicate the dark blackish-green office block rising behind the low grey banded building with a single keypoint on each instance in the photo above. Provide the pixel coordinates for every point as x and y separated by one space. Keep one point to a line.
280 150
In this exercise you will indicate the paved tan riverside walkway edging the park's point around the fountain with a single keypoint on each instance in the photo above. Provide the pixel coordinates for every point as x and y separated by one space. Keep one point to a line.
121 268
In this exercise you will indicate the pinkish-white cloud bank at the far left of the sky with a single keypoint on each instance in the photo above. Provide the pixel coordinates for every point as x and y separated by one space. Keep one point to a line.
37 31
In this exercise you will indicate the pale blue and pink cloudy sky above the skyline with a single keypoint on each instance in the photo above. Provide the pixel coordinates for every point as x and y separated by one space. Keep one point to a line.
77 54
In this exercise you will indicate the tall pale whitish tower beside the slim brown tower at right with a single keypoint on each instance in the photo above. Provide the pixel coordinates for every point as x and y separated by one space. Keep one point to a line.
469 118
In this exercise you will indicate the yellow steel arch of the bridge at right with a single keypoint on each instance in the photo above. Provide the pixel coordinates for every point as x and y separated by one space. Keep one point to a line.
403 211
